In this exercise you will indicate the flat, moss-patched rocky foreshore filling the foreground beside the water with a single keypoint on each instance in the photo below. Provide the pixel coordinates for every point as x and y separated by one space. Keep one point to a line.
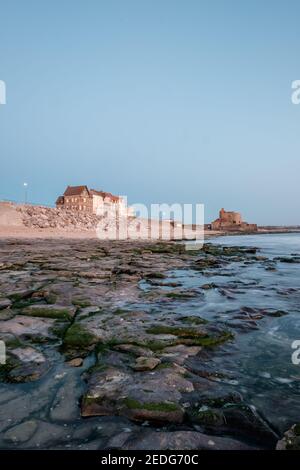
101 333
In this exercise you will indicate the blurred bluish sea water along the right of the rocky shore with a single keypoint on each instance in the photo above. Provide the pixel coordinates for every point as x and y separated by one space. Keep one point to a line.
260 361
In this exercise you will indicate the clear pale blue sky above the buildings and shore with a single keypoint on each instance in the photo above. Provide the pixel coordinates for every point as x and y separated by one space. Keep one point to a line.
162 100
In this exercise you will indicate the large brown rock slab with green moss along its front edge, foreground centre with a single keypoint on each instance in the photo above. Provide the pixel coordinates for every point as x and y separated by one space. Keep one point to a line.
140 396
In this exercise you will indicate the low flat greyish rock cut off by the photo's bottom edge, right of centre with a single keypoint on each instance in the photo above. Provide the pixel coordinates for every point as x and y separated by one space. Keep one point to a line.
177 440
